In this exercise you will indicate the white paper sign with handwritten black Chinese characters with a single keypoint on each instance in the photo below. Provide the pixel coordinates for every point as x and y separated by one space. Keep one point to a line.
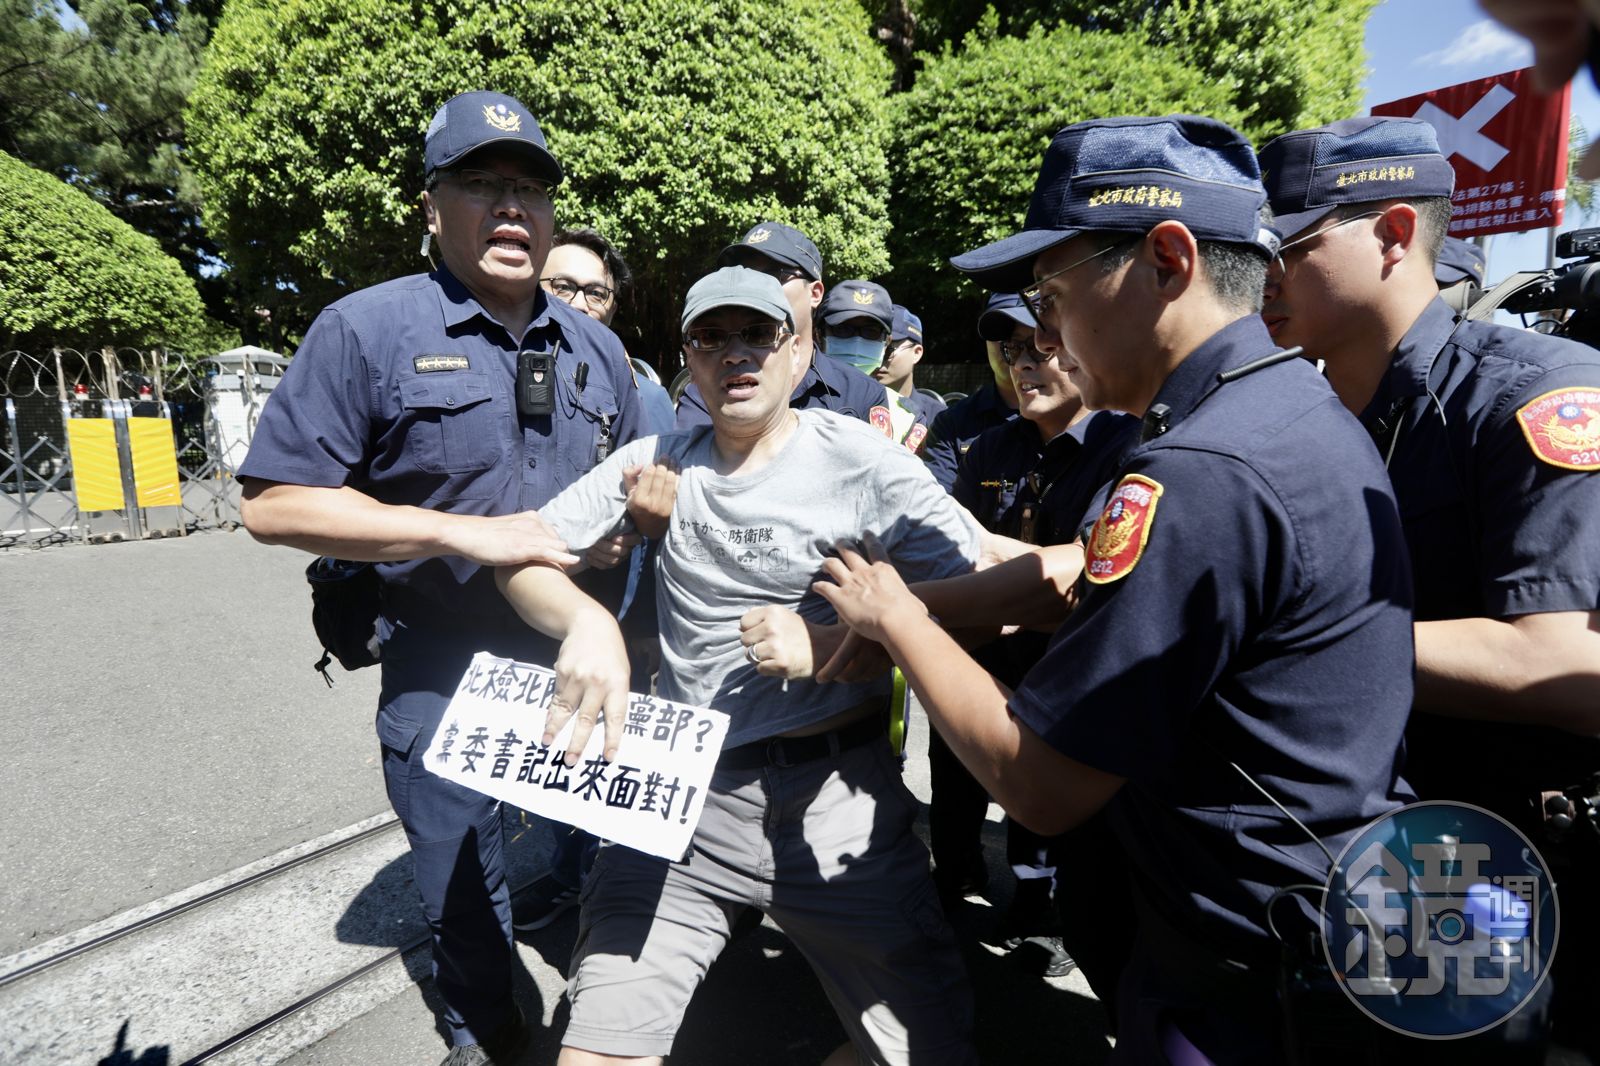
649 799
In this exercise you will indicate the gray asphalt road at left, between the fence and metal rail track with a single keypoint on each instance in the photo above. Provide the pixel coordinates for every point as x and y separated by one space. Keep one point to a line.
164 724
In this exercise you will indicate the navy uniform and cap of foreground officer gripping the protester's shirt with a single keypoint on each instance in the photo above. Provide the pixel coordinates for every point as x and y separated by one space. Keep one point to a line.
1244 588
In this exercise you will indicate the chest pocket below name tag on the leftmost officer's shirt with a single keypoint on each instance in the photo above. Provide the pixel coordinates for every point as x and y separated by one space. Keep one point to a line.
454 428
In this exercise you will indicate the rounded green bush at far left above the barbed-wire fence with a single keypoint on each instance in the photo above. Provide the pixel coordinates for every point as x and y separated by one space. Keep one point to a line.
76 276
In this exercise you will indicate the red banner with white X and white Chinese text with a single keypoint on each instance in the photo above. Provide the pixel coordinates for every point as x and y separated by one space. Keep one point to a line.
1508 146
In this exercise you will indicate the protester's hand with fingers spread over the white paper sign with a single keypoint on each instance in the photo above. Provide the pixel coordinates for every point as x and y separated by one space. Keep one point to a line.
591 683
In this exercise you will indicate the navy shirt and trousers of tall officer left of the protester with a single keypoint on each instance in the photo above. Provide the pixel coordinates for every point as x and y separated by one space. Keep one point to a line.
407 393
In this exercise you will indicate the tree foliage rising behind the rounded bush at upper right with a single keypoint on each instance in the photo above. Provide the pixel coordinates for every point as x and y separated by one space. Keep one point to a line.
1286 65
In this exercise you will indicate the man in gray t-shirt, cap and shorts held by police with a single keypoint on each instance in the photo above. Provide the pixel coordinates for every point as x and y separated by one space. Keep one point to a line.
807 816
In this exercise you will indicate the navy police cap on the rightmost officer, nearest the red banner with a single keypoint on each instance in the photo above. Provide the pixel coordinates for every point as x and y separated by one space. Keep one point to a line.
1358 161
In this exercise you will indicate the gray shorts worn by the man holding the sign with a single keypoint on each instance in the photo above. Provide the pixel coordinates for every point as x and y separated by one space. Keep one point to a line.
828 851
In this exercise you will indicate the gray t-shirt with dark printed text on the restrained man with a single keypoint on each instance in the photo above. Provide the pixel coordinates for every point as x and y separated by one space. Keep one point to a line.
737 543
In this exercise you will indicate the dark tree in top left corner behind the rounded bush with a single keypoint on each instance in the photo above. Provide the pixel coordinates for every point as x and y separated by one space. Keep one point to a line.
98 103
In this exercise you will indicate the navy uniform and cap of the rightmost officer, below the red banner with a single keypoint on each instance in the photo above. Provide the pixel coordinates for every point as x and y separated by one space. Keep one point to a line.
1492 438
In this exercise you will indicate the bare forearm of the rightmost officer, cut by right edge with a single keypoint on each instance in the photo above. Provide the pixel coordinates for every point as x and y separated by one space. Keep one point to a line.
1537 670
